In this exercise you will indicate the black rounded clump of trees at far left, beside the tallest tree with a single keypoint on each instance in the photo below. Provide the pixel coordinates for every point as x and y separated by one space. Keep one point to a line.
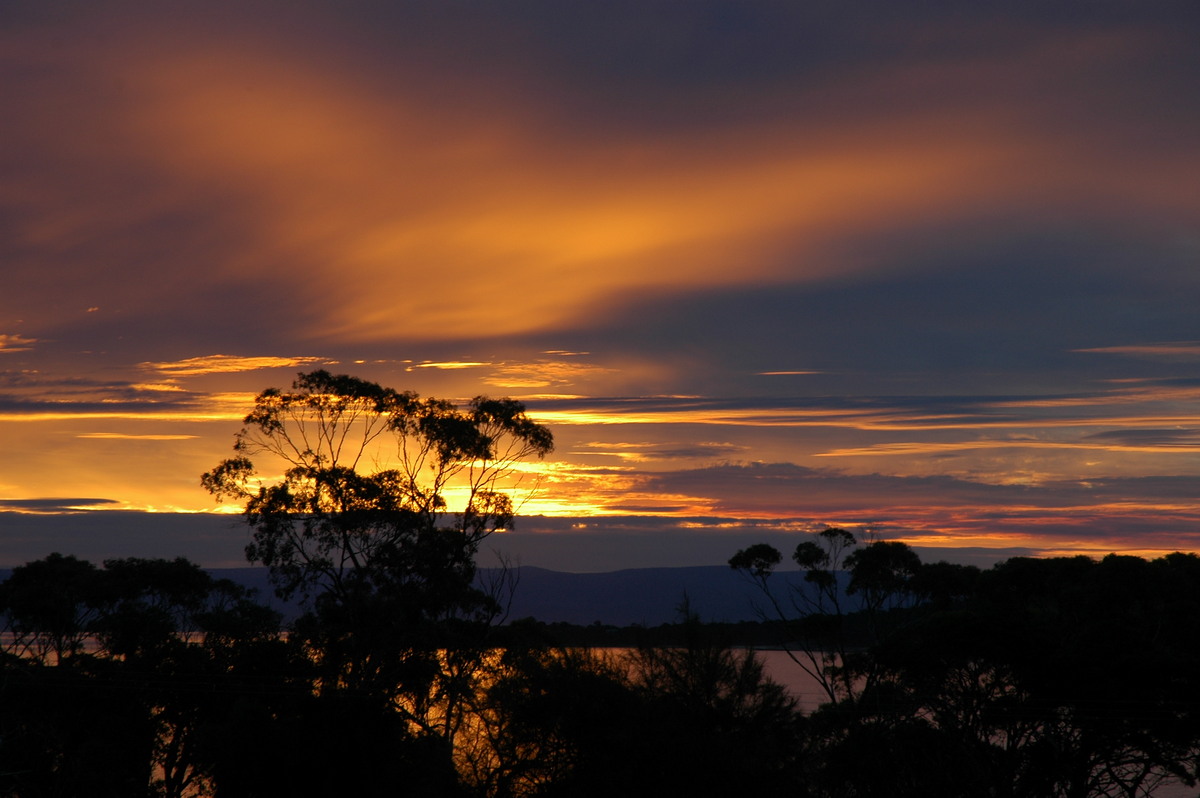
112 677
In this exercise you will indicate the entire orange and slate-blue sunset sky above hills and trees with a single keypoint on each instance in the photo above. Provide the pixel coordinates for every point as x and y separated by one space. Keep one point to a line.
929 272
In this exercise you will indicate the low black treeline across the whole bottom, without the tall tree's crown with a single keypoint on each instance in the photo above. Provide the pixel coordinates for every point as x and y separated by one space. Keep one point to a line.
1037 677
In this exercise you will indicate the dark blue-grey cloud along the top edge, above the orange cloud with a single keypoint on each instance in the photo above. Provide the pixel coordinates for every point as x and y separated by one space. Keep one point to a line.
713 61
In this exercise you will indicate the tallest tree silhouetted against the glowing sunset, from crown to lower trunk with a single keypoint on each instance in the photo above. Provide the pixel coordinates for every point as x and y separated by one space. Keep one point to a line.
375 523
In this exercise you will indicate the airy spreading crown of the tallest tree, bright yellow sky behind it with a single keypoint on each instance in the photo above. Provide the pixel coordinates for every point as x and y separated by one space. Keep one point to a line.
331 526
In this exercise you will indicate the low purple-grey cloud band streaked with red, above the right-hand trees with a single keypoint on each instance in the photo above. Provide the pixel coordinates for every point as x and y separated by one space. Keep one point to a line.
947 508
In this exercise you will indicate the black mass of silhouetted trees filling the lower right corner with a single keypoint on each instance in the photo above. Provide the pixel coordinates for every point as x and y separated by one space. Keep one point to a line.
1037 677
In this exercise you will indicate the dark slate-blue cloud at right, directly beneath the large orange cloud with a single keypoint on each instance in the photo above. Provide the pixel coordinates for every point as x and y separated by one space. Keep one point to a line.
985 311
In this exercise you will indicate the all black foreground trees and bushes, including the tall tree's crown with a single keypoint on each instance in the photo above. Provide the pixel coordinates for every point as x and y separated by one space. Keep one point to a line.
1063 679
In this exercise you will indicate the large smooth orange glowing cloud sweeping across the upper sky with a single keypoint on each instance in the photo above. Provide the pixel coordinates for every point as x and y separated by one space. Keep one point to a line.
387 212
